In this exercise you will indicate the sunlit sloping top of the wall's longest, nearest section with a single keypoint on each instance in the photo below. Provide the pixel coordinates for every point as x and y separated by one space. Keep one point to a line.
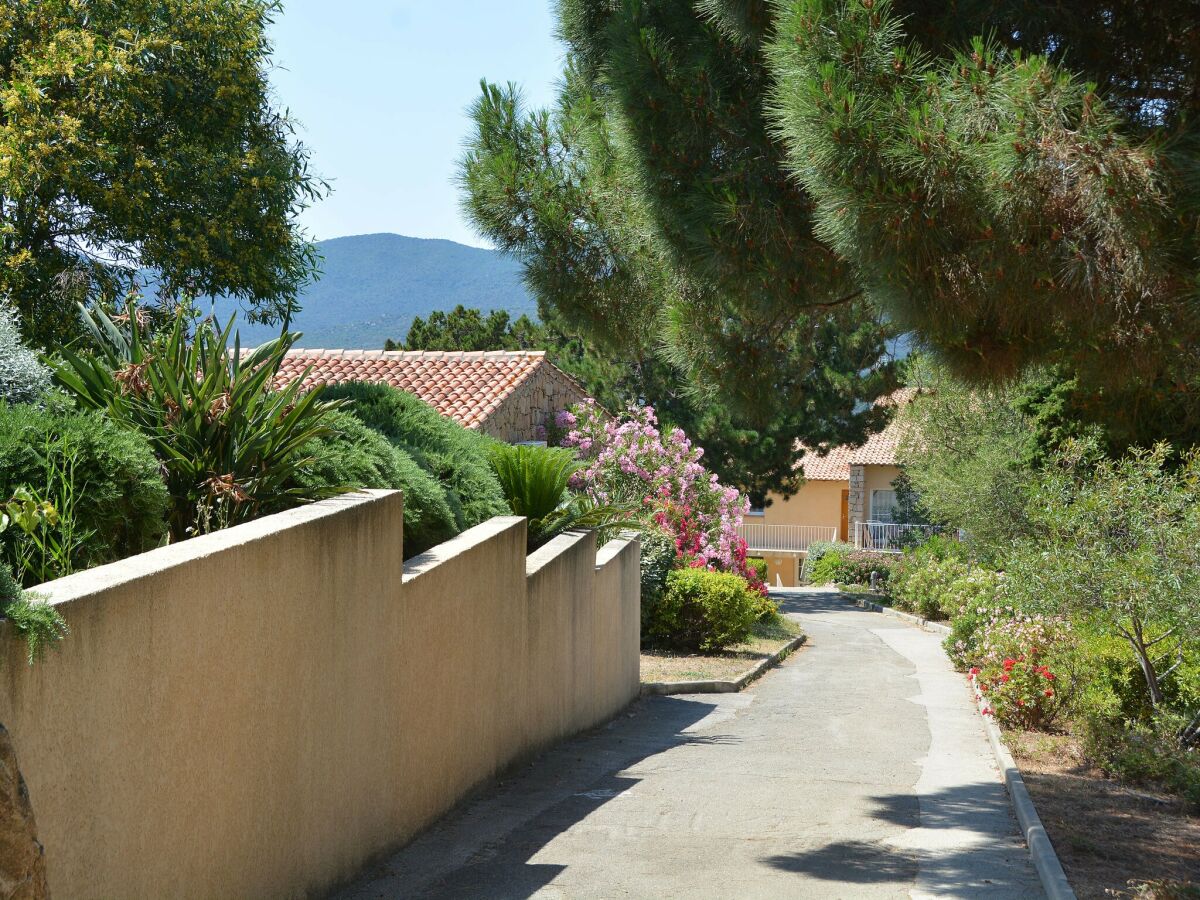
153 562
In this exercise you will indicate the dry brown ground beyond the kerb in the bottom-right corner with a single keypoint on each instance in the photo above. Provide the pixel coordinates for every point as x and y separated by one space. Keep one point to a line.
1108 837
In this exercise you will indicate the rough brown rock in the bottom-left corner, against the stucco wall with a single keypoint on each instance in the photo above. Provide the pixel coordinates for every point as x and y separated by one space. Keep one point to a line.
22 859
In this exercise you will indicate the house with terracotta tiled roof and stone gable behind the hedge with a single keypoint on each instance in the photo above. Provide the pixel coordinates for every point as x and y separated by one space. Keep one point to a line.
512 395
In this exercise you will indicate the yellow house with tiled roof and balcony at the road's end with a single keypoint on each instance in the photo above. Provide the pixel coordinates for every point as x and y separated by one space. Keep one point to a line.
848 495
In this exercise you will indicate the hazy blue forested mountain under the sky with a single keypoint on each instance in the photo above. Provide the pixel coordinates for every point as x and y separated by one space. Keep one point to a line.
374 285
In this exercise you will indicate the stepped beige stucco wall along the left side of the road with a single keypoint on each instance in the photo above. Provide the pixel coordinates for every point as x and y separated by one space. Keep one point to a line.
257 712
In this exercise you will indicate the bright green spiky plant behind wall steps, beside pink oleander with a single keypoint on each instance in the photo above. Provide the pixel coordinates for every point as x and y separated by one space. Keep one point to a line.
536 482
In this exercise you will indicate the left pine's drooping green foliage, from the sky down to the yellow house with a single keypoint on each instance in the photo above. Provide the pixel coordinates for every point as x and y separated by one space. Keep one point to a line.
748 380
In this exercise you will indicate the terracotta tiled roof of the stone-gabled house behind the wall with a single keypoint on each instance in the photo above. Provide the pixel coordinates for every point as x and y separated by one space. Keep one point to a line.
465 387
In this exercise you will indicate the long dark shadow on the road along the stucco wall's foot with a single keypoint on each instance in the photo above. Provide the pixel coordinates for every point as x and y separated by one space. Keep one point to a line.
484 848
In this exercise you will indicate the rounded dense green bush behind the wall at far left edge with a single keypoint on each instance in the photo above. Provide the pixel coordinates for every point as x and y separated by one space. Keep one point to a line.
103 481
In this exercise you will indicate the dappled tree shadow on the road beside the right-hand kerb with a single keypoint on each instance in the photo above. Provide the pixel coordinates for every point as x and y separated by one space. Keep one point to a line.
967 849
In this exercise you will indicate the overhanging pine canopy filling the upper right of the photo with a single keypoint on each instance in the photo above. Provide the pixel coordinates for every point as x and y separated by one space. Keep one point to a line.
1013 183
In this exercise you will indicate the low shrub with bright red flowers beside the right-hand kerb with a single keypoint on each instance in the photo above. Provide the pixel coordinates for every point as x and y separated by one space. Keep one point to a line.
1019 669
